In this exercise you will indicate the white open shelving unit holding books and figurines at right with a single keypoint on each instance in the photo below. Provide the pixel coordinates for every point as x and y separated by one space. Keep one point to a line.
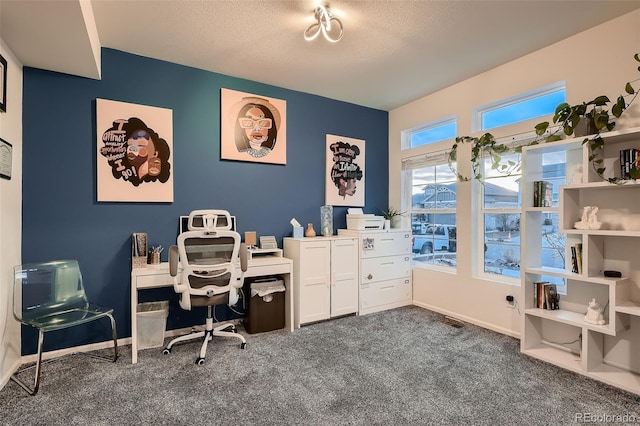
609 352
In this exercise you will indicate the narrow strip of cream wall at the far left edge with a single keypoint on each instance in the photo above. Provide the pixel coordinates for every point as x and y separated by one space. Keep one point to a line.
10 218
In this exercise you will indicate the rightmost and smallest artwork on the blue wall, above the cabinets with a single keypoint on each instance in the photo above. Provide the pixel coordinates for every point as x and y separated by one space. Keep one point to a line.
344 183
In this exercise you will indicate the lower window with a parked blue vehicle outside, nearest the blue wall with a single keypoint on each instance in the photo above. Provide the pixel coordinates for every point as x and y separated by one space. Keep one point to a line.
432 210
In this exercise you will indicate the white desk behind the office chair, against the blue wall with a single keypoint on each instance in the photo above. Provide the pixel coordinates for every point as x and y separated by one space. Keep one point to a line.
158 276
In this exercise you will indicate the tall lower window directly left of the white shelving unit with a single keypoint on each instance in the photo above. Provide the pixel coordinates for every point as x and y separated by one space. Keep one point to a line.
500 216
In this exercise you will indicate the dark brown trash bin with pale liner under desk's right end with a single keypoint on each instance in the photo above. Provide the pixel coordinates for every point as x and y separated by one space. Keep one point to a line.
265 311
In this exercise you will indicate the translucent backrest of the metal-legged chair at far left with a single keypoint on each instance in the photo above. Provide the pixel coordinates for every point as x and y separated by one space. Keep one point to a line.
48 287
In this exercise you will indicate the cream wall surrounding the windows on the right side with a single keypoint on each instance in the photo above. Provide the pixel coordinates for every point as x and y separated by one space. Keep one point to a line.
595 62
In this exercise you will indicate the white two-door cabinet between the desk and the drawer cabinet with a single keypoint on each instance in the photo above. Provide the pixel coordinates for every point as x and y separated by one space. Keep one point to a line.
325 277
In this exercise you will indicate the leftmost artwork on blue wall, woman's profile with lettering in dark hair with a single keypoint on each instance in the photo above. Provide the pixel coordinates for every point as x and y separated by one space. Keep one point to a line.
134 162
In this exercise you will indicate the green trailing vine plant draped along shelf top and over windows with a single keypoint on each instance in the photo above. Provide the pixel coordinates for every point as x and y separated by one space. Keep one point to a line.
567 118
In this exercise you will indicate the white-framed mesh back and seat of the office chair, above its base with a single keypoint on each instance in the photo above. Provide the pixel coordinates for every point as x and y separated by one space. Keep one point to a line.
208 254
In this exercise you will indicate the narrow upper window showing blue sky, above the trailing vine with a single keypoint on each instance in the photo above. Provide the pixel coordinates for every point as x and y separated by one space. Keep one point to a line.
536 103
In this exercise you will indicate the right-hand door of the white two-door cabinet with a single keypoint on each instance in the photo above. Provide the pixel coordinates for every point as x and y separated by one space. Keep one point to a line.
344 277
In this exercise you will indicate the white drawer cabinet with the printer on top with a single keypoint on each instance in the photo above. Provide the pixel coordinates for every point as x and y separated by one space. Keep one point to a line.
385 269
